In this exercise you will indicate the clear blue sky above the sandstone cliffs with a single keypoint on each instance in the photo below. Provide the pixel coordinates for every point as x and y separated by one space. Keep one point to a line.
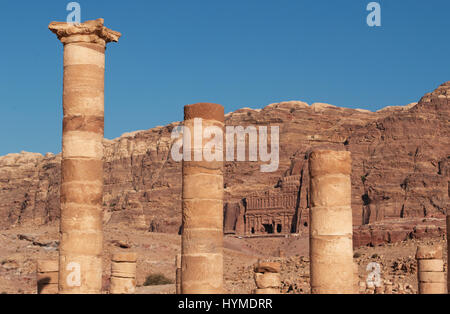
239 53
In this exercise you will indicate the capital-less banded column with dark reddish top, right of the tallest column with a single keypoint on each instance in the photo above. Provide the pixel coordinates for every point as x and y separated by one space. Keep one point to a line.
202 204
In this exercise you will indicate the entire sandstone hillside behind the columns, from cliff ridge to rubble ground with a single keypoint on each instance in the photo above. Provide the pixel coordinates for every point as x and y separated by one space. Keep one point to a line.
400 187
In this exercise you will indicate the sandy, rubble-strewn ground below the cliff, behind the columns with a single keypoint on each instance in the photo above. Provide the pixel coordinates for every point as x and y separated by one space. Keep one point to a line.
20 248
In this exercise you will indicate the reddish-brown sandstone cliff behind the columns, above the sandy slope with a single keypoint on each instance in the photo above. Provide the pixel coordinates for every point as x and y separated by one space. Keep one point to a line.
401 161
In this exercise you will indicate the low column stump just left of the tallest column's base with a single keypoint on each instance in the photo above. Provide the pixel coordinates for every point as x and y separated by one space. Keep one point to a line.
47 277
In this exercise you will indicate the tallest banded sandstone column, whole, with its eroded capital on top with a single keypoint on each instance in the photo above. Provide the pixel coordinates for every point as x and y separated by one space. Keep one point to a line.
81 236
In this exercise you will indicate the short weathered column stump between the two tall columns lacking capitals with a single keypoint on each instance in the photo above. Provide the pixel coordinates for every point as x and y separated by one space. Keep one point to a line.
267 278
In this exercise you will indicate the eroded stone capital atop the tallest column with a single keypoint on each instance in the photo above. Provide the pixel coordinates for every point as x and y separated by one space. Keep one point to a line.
92 31
